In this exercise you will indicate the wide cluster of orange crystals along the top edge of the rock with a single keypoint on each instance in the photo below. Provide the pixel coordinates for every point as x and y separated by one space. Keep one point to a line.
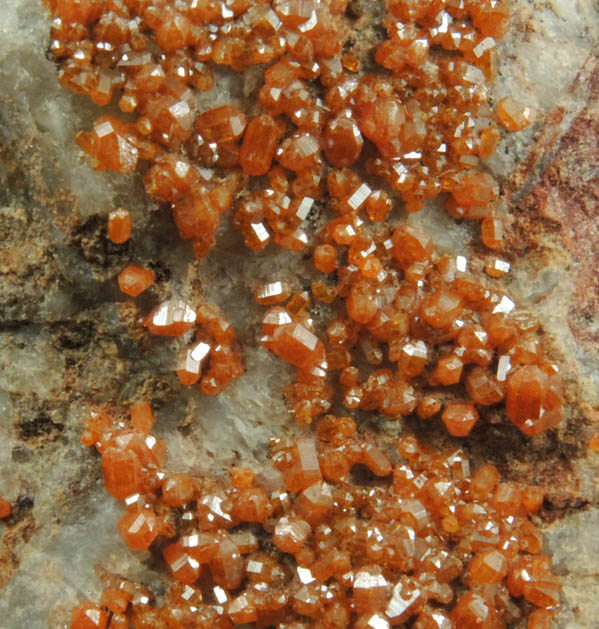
420 118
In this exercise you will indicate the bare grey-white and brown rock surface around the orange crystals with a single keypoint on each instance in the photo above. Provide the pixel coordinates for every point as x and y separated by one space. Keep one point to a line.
67 336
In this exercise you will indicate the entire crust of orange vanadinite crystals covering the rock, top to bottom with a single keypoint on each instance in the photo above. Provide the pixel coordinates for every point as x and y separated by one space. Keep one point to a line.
351 529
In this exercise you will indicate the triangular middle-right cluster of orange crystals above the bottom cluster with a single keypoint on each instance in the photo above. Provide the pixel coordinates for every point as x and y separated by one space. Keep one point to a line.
423 324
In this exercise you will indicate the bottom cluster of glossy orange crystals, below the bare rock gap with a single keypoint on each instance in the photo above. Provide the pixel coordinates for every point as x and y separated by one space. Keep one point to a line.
339 532
